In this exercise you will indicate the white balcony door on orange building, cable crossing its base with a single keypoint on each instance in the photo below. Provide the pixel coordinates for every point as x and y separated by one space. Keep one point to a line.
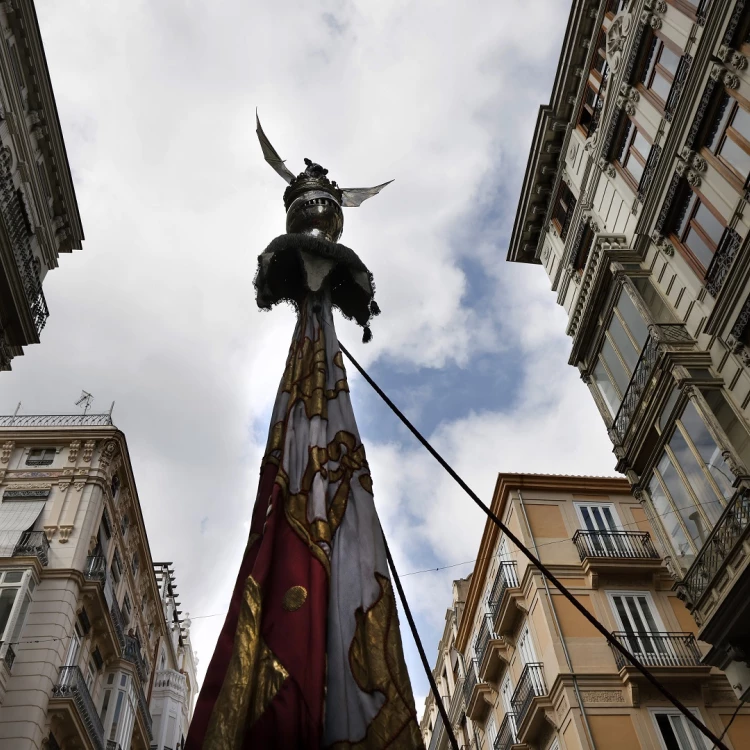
641 624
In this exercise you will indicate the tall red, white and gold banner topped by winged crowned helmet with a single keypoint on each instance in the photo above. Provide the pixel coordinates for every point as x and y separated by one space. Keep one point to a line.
310 653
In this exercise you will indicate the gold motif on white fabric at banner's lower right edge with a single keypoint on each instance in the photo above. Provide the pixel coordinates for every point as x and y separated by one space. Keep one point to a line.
377 663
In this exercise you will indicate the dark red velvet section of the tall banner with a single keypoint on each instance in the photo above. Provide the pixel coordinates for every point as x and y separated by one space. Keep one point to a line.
277 561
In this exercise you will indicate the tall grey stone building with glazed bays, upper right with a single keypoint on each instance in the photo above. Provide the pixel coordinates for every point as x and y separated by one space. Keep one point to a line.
635 202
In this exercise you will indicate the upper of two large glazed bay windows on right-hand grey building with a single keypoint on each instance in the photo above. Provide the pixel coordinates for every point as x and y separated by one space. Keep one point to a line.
624 340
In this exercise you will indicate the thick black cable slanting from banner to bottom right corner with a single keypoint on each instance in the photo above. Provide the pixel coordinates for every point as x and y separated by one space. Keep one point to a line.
614 643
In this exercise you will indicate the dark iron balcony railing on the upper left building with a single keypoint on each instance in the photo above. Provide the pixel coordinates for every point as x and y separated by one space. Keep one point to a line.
16 218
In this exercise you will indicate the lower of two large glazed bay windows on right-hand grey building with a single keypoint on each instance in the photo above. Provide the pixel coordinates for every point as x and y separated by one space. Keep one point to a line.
690 486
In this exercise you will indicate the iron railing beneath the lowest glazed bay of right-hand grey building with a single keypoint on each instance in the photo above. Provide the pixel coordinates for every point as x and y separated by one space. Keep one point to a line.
723 538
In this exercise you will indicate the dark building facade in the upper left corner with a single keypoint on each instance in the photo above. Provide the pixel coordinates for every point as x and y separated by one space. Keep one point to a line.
38 211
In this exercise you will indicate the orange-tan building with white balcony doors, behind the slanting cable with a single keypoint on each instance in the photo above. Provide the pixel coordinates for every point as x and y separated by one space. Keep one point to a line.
532 673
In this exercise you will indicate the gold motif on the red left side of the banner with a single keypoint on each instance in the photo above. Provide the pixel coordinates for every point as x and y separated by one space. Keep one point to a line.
253 678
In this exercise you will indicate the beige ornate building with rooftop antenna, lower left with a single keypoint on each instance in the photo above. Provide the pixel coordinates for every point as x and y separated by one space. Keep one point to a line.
94 653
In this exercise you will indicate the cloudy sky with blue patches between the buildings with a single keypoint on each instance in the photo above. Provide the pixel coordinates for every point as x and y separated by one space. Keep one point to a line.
157 313
